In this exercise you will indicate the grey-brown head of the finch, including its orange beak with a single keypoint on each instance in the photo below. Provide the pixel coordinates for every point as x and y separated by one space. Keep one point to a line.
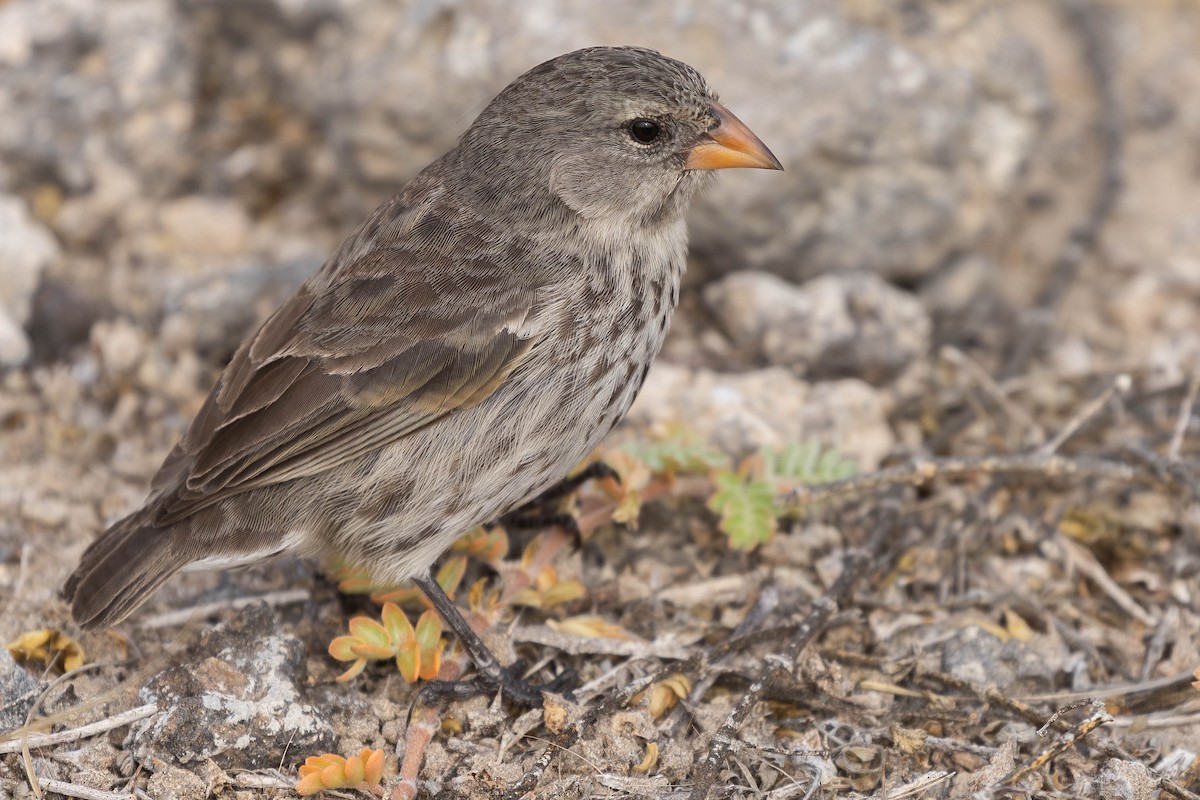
619 135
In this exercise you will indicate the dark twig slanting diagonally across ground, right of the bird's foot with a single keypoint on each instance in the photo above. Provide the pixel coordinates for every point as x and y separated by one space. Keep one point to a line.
855 568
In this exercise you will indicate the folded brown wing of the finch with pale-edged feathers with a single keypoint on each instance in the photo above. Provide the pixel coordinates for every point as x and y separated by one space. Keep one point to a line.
395 344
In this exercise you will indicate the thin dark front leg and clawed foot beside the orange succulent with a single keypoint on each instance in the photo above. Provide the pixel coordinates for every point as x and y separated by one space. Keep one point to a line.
491 675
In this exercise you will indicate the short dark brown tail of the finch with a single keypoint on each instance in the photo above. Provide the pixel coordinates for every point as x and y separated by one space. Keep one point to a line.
121 570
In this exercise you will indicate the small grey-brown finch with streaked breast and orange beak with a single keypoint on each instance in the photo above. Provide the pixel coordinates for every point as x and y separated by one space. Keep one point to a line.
460 353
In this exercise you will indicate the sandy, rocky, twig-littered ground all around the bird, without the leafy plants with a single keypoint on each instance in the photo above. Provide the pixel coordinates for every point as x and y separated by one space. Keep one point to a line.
979 279
